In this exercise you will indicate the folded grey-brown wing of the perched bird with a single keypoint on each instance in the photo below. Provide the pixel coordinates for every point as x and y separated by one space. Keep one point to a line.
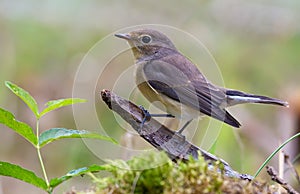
176 77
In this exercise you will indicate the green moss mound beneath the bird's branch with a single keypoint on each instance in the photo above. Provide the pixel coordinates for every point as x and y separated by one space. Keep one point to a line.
155 173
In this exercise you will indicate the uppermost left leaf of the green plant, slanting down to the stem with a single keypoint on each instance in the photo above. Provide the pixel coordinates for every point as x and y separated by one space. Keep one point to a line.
25 96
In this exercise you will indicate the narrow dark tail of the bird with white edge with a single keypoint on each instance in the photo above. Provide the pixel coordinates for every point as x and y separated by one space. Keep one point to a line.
238 97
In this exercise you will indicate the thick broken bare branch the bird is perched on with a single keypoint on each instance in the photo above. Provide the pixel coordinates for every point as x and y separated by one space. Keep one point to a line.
159 136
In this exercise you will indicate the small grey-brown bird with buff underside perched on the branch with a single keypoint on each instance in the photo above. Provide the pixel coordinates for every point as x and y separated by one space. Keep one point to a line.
164 74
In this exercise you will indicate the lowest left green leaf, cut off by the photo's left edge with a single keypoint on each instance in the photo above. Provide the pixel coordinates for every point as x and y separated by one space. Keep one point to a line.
17 172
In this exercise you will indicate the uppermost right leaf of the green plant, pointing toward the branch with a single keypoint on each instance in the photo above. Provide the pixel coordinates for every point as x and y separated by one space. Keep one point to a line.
55 104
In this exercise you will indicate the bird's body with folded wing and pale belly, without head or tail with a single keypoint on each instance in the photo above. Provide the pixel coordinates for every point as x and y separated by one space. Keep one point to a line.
176 82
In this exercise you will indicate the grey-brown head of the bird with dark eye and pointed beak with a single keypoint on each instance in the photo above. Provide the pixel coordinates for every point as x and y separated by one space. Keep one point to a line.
146 42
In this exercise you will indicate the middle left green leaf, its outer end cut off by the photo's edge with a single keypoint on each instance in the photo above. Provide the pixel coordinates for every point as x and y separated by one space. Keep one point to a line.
8 119
